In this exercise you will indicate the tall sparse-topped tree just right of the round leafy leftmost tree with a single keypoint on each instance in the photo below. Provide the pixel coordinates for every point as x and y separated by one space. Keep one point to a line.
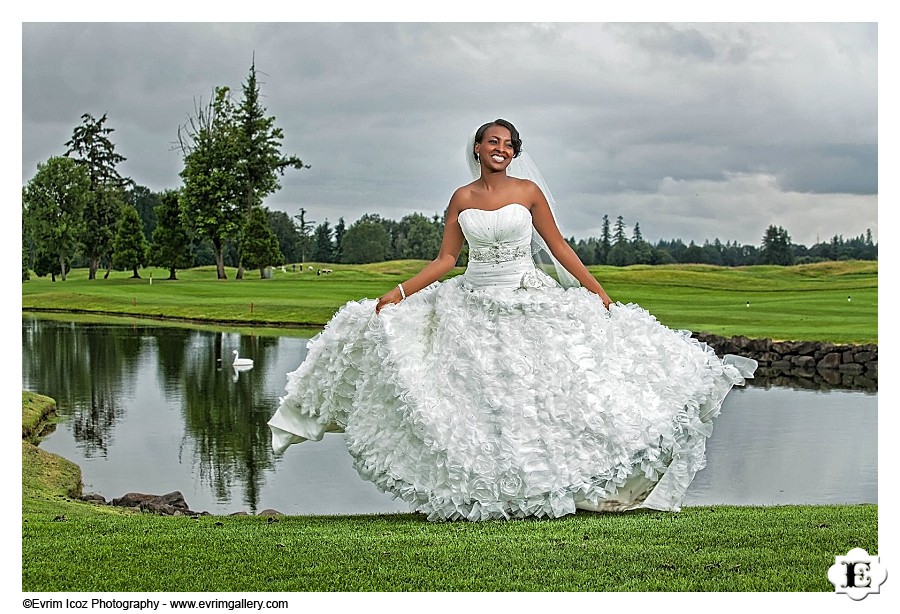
91 147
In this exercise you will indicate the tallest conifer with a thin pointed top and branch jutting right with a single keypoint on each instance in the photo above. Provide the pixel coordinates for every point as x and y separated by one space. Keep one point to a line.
259 142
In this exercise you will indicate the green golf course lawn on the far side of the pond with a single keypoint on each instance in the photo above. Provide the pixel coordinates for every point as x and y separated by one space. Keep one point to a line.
807 302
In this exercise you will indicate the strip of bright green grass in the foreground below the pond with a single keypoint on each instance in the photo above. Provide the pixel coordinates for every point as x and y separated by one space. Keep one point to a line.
697 549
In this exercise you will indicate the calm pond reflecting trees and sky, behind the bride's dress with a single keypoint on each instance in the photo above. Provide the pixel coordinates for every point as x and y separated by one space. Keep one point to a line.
145 407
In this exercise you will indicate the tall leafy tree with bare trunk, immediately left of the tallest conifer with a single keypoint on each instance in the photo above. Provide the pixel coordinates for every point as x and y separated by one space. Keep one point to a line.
212 189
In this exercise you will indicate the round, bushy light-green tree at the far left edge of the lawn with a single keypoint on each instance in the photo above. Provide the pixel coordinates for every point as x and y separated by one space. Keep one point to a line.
53 212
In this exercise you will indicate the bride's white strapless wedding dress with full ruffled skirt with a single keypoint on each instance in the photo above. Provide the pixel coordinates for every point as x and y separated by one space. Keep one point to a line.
499 394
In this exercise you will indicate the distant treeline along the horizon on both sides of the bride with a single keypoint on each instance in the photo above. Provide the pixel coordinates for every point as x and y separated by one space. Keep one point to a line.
373 238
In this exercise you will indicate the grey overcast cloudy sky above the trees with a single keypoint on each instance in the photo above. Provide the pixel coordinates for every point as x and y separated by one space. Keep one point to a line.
694 130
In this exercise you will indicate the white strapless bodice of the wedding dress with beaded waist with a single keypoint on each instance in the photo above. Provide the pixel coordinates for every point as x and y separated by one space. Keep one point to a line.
499 246
